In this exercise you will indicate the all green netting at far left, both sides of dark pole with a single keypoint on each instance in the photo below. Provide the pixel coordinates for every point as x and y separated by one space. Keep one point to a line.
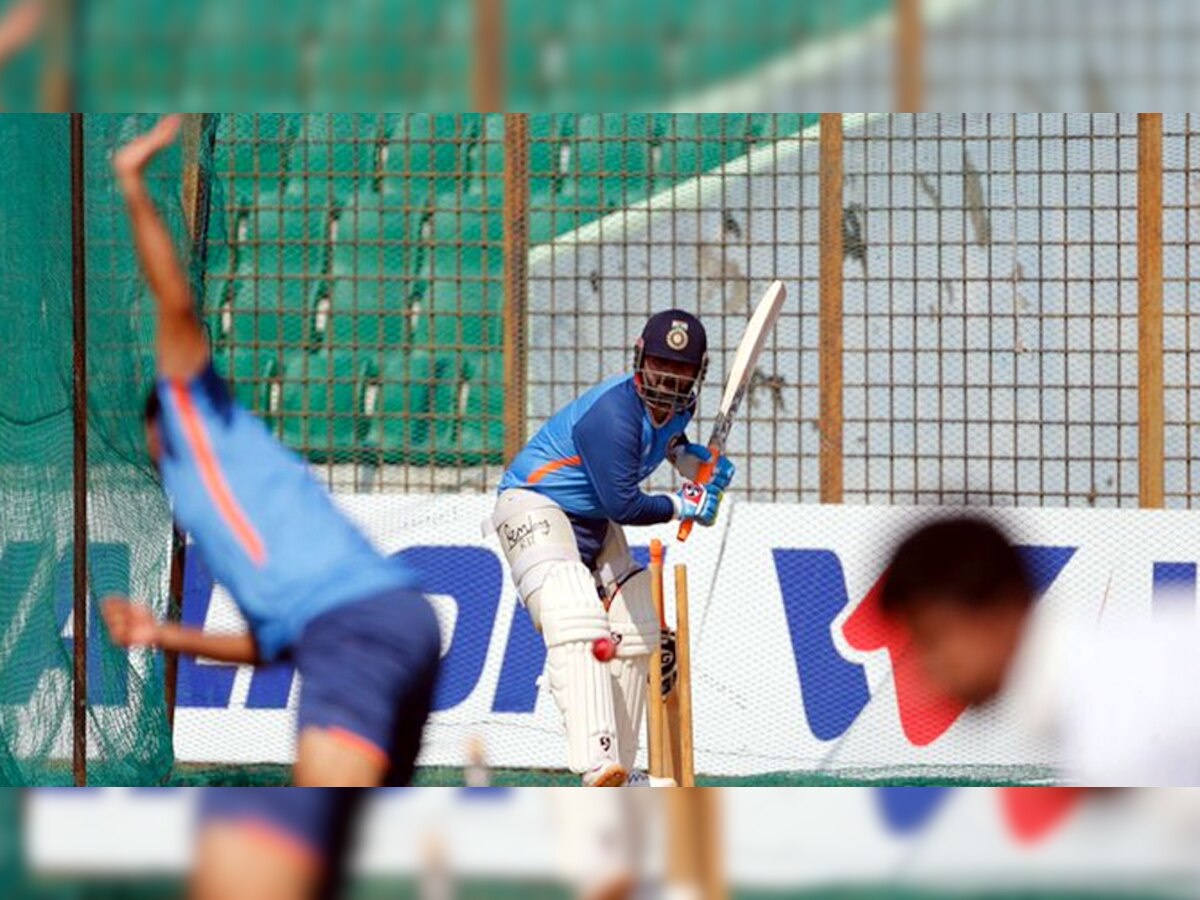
129 523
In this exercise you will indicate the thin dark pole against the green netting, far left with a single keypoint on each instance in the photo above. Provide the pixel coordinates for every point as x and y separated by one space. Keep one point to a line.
80 463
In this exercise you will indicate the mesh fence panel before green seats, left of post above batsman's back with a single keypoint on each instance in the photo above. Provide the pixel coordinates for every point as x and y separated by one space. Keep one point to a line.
355 289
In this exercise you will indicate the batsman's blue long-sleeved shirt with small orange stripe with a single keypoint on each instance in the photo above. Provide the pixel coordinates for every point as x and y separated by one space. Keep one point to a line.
592 457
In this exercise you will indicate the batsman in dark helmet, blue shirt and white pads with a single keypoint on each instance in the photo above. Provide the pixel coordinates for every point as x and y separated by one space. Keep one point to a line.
560 519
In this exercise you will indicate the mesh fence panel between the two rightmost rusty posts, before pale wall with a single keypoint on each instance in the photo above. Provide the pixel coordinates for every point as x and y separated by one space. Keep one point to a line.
992 310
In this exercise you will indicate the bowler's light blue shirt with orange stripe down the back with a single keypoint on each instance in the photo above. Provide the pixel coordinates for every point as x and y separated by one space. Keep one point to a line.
266 529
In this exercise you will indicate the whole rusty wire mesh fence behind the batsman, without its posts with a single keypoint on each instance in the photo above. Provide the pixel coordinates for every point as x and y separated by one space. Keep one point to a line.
991 325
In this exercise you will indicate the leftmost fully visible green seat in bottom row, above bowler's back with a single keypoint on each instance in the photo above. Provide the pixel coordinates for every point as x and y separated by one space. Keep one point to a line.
322 409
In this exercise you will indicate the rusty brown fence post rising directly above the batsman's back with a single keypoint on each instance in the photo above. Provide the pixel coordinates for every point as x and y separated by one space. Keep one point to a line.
517 263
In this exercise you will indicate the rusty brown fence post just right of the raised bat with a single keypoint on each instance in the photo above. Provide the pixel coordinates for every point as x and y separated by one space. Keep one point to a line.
831 326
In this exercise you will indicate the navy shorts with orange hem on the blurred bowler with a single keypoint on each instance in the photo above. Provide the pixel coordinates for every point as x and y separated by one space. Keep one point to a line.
368 675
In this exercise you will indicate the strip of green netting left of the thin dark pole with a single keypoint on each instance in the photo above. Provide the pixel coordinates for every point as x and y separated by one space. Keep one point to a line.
35 442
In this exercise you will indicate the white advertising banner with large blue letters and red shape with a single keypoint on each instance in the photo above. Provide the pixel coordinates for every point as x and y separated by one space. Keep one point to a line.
791 667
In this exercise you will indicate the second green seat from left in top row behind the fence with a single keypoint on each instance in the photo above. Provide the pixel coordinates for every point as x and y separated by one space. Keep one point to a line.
332 155
